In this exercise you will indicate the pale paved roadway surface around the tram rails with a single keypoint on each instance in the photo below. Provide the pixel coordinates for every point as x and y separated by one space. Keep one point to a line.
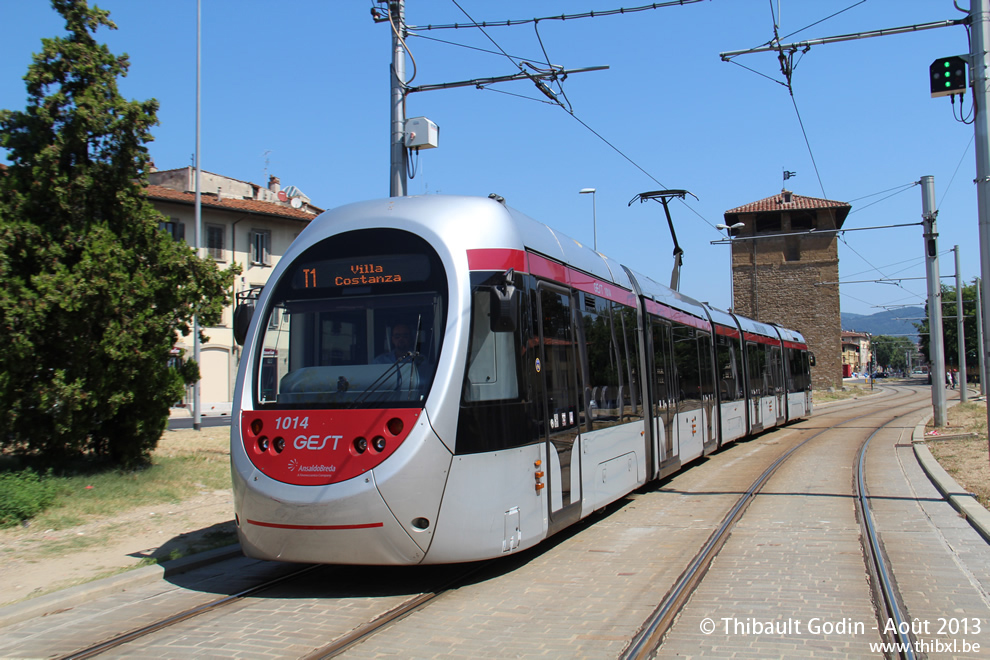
795 562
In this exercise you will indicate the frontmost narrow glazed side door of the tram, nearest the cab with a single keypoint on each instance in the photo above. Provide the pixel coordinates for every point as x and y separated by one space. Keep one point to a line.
558 372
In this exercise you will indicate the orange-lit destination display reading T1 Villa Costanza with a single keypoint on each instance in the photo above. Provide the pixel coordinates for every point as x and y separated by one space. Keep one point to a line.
361 271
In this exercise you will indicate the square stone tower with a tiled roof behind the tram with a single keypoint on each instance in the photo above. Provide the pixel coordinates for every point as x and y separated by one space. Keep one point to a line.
785 269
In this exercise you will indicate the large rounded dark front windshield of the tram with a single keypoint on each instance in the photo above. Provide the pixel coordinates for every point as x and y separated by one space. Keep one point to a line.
354 331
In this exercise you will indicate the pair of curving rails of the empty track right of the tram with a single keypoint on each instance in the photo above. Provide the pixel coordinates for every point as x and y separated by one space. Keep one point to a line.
647 641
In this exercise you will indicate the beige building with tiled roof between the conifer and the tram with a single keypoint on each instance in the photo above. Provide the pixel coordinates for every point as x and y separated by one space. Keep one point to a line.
242 223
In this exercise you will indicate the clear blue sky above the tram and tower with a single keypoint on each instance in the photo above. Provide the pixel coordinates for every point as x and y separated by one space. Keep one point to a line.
300 89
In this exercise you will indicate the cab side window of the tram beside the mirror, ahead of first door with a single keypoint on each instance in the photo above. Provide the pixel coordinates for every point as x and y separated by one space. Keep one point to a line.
492 370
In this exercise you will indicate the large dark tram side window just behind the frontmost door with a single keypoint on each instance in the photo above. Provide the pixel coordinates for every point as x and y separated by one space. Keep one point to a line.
610 362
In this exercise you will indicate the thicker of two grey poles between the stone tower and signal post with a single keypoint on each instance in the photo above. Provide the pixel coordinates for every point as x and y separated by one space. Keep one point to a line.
935 351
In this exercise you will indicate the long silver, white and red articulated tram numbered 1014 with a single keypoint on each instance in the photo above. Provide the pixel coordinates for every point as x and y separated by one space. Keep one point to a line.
542 381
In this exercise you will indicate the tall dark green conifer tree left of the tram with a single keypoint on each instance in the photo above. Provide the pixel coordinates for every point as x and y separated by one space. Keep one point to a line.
93 294
